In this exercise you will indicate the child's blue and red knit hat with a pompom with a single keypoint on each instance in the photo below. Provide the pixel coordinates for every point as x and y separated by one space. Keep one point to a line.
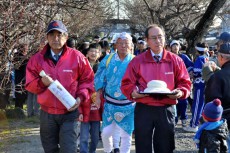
213 111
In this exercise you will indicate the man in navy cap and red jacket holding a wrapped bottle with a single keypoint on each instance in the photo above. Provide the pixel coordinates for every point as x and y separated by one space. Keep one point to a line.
73 71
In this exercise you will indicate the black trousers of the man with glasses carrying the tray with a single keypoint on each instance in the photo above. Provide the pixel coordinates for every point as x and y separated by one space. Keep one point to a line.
154 126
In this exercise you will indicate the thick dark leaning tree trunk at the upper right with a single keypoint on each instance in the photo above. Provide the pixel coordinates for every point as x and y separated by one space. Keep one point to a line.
195 35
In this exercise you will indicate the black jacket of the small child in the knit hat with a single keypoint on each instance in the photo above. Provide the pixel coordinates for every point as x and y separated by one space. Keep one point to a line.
214 141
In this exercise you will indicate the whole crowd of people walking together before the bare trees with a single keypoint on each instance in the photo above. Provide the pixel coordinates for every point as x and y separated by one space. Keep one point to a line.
107 81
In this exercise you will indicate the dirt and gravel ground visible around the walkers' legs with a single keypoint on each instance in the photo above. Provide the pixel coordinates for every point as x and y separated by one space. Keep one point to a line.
22 136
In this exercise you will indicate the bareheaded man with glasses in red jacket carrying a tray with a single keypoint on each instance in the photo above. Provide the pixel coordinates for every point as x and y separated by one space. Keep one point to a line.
154 115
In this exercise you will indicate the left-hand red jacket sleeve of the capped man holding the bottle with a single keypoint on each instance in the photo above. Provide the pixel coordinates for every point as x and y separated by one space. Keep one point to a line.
33 80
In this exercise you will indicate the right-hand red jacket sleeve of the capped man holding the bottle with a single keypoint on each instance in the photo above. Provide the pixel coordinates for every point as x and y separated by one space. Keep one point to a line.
85 80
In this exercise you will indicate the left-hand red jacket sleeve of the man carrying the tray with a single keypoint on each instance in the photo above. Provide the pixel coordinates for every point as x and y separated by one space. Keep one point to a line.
128 83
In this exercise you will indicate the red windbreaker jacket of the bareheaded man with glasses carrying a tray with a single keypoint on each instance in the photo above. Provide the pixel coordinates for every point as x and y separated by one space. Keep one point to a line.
143 69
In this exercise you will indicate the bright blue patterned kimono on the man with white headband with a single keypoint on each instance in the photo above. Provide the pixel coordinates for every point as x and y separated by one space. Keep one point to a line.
109 79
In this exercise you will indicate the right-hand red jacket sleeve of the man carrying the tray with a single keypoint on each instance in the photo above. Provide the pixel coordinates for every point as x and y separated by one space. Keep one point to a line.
182 79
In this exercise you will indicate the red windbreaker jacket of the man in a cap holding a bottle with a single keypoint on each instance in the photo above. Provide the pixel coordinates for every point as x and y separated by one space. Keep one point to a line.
72 70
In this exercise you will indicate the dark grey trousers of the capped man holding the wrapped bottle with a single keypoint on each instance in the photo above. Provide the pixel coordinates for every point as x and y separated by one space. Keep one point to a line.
58 132
